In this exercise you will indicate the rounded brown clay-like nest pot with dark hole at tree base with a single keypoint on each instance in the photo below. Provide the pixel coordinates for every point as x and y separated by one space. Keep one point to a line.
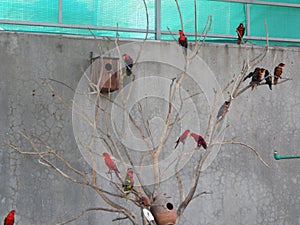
163 210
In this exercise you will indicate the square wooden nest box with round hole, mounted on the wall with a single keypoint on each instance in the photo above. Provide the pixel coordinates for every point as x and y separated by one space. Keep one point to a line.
105 73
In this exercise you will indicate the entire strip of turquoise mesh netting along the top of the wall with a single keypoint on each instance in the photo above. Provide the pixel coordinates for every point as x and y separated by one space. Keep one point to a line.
282 21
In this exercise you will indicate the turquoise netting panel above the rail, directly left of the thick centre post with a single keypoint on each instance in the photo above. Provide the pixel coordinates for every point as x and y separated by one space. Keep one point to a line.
127 14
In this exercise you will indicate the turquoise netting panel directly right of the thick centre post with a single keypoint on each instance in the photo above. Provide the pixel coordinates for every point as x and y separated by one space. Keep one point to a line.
225 16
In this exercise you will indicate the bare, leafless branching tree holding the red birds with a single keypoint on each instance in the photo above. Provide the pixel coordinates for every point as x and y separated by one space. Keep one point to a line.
100 126
